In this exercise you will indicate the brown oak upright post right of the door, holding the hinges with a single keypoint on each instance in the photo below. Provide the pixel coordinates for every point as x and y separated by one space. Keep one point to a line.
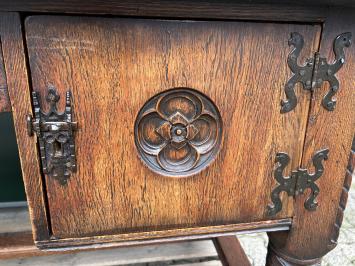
333 130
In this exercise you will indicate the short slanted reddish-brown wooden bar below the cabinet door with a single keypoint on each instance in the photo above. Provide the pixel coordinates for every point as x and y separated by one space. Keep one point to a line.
230 252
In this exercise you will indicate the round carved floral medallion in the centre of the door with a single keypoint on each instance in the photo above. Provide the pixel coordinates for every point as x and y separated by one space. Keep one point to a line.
178 132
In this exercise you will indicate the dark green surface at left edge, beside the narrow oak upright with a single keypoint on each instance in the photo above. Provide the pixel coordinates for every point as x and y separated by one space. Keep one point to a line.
11 186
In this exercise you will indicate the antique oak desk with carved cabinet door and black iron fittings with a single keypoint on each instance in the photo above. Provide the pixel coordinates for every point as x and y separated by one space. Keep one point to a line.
152 121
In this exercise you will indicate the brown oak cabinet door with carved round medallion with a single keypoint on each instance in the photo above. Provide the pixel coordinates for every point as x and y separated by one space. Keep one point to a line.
117 69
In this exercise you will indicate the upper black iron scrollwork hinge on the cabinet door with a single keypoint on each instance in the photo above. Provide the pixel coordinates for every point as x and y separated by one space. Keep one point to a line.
314 72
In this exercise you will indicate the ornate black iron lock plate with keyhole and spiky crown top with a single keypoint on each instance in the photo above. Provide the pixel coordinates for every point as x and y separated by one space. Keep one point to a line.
55 132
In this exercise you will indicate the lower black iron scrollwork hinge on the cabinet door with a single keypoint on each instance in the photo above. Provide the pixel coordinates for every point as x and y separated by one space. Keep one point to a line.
298 182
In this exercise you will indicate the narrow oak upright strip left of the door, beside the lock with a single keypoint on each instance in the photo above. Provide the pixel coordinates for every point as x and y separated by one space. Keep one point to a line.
19 91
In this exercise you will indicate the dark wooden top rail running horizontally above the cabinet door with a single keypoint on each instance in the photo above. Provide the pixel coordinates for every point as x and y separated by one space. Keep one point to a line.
251 10
